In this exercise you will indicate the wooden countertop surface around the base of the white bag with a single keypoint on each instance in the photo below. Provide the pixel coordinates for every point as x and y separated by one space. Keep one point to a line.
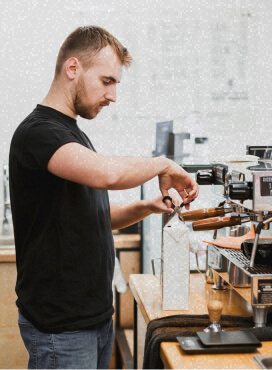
147 293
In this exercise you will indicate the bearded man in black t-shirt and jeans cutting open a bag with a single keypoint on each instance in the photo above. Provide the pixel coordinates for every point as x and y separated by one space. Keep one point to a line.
61 212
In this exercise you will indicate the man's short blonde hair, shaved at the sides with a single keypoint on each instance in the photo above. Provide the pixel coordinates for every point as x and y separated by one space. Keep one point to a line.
85 42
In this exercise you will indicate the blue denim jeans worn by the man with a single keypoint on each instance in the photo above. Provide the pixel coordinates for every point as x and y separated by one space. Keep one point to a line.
84 349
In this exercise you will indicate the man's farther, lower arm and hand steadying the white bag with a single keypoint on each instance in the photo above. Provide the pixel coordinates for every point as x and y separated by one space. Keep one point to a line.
123 215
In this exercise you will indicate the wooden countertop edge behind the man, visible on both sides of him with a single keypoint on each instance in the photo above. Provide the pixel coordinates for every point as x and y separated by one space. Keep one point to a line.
120 241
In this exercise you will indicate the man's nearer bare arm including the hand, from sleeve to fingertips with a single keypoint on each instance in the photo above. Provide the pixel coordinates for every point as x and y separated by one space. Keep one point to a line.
76 163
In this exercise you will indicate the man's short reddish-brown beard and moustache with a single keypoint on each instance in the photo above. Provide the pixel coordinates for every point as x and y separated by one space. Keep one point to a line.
83 109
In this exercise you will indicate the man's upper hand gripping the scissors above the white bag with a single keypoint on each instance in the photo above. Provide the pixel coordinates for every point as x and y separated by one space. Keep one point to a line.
175 177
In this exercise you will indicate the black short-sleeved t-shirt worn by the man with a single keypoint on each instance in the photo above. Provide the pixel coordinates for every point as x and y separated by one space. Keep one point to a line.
63 238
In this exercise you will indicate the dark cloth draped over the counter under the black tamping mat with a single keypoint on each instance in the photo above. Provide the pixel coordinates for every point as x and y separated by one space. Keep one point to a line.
168 328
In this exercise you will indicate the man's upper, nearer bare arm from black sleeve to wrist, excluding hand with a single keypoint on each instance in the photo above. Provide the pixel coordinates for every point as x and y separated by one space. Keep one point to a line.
76 163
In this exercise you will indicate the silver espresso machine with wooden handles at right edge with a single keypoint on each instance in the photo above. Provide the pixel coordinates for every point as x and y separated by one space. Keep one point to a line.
247 194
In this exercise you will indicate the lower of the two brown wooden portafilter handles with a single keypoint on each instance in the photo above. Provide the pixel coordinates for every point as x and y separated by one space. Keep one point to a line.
216 223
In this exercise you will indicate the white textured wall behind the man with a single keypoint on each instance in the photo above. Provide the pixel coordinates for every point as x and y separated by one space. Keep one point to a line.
190 56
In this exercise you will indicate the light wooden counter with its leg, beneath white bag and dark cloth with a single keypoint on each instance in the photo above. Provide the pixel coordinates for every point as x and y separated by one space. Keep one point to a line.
148 305
